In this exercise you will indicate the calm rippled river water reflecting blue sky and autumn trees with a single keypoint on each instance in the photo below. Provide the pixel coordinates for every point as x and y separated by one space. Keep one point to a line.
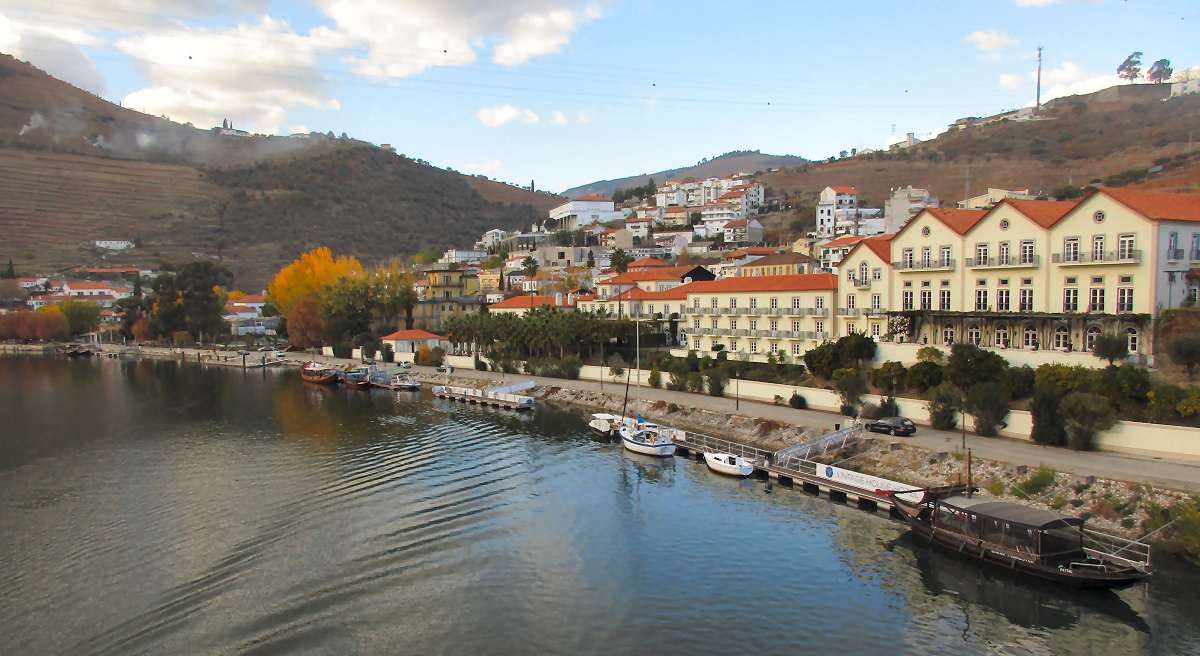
151 508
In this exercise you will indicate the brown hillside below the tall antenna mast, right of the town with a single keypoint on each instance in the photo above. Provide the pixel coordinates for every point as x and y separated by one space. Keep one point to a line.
1084 139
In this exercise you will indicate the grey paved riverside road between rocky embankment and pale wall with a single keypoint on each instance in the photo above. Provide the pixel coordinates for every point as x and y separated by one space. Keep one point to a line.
1174 474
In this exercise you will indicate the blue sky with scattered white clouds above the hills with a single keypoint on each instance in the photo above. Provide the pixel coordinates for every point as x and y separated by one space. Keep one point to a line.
563 93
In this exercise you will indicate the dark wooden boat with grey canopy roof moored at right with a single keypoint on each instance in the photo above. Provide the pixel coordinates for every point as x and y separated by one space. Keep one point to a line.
1024 539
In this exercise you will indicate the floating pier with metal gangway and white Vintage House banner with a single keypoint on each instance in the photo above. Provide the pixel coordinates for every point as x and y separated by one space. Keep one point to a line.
791 466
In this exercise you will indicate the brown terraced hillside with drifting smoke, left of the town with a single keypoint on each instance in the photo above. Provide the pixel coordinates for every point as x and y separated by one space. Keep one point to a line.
76 168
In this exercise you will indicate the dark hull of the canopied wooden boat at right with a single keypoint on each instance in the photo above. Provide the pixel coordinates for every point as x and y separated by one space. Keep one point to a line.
1097 580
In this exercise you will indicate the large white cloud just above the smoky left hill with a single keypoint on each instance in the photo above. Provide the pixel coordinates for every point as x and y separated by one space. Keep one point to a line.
251 75
